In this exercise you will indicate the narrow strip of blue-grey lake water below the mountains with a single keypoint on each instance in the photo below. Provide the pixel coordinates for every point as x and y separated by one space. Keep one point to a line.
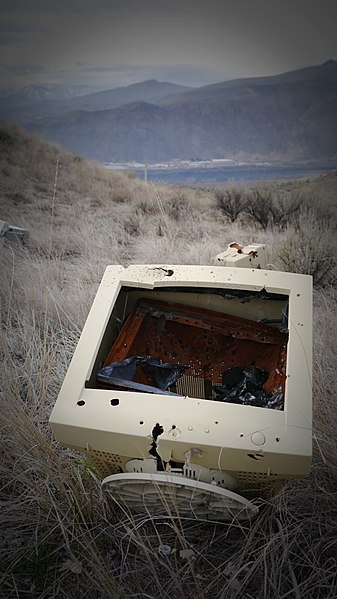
214 175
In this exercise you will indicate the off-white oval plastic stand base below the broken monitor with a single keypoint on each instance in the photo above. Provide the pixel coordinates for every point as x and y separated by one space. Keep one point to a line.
177 496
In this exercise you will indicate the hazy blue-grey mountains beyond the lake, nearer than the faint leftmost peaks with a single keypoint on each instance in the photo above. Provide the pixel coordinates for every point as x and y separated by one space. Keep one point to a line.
292 116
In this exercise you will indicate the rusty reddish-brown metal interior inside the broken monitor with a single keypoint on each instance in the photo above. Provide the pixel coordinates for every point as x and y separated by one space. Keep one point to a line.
208 342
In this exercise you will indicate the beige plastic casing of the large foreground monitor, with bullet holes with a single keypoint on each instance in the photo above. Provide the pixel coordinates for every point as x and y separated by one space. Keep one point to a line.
253 445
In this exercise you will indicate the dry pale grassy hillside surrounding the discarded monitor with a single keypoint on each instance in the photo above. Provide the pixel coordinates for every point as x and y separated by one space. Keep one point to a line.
61 537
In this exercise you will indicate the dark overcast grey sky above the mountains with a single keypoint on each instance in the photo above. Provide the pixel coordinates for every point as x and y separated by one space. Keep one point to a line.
110 43
